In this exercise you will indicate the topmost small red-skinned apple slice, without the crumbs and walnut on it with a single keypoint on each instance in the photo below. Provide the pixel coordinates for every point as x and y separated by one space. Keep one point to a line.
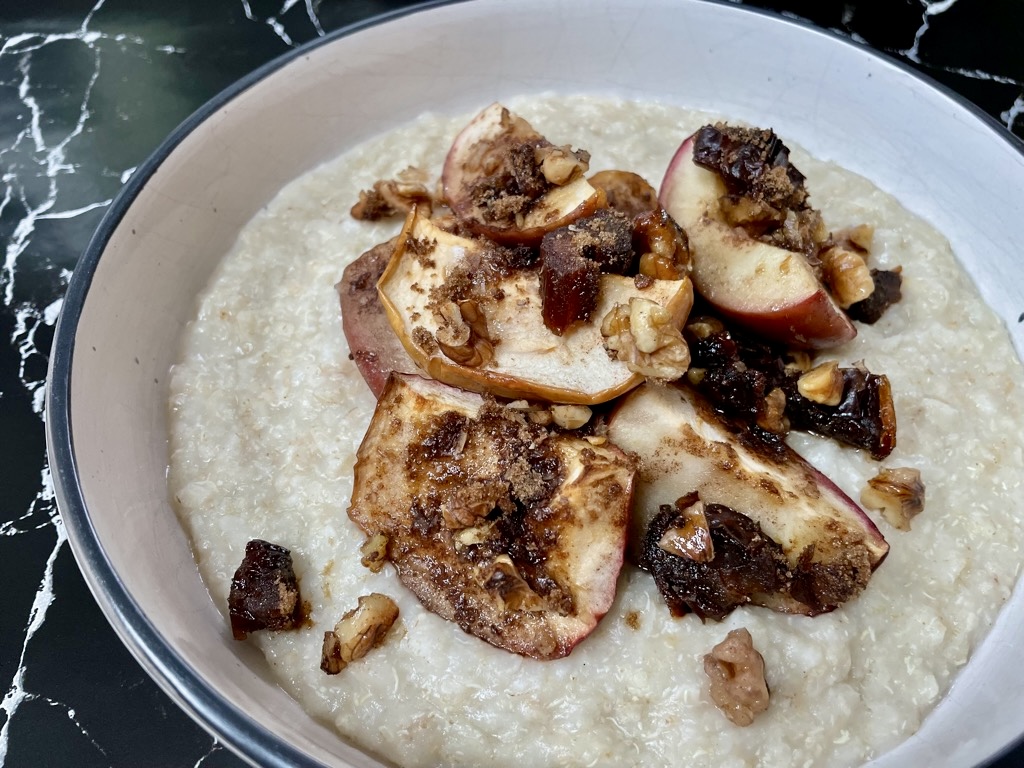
481 151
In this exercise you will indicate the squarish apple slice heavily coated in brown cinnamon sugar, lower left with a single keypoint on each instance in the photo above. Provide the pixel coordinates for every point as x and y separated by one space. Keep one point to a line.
515 533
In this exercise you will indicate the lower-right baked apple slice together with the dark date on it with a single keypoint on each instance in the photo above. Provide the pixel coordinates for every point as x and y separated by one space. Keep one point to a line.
800 544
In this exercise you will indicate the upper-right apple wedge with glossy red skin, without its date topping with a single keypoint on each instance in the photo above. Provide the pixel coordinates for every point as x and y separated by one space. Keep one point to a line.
770 290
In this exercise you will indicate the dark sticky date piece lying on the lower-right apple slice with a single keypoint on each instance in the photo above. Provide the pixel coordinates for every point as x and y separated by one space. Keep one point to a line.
747 563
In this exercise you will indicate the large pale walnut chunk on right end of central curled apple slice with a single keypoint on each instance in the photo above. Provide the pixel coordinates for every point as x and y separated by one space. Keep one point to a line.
643 336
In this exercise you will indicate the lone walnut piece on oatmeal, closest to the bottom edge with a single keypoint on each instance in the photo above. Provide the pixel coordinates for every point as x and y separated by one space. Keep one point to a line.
738 678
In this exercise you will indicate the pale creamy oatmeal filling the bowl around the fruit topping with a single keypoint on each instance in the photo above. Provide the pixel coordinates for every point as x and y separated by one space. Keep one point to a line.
268 411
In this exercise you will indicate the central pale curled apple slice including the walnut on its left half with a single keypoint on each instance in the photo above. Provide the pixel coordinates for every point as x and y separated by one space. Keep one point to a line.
473 320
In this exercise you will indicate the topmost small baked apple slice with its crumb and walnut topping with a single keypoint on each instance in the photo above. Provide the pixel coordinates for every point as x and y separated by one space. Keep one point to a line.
505 181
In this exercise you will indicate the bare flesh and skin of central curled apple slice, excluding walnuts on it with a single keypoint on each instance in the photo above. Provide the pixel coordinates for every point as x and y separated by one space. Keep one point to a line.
527 360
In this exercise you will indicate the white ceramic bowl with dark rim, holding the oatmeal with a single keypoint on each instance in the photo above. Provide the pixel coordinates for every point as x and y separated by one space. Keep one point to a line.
135 289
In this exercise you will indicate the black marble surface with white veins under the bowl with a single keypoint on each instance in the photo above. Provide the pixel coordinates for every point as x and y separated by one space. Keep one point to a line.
89 89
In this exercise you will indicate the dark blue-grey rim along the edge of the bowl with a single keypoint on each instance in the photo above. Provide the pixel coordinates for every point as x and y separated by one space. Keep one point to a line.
226 722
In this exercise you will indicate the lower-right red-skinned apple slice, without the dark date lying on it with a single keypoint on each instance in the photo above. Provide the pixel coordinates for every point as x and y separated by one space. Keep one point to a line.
830 544
